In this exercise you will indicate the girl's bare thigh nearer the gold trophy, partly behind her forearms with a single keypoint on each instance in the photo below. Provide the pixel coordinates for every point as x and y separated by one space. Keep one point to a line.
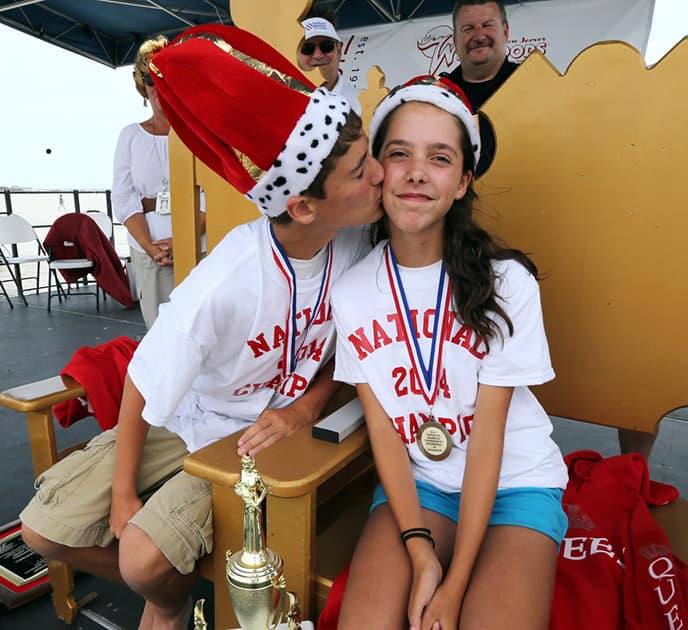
377 590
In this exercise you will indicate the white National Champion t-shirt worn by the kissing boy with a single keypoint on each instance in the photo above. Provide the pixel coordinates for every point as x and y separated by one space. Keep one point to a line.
210 363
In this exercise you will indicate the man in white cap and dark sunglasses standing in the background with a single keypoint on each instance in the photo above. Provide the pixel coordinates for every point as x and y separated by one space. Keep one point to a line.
322 48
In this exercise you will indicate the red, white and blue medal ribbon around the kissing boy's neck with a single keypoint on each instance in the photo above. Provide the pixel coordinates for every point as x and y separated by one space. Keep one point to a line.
291 350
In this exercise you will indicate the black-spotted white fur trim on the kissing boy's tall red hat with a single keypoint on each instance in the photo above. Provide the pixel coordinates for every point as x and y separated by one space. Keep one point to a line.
302 157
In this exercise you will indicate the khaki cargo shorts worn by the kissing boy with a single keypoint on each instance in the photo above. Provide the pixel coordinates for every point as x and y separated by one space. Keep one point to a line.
72 502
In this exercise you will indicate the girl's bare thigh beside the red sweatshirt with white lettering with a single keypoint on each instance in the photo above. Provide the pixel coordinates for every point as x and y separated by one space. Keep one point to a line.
512 582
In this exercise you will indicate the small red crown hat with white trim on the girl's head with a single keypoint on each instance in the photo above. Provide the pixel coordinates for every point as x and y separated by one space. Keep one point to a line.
440 92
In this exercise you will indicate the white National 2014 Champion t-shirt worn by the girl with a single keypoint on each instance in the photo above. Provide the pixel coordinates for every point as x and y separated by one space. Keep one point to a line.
371 349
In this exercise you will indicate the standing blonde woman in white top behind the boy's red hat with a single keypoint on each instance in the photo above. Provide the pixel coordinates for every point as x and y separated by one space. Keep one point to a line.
140 192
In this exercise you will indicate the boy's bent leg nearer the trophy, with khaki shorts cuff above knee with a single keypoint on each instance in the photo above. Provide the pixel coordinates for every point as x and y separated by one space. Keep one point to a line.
160 546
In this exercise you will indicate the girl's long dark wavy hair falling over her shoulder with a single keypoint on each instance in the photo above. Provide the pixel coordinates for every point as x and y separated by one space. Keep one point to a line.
468 253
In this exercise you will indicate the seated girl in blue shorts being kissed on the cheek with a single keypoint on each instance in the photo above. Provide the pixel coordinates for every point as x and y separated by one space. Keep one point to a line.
442 347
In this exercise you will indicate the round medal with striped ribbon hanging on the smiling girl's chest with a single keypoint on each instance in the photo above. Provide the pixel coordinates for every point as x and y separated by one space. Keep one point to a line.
433 439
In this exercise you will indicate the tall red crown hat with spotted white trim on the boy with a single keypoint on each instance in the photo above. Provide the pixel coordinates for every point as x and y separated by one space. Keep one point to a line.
247 112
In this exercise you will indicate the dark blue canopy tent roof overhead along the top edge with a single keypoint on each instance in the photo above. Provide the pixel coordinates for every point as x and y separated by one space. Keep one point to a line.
110 31
